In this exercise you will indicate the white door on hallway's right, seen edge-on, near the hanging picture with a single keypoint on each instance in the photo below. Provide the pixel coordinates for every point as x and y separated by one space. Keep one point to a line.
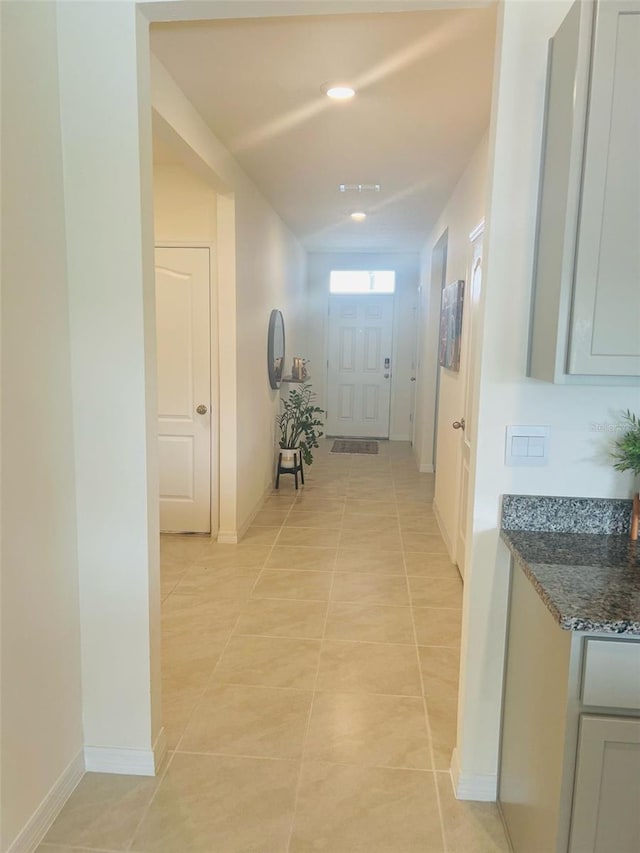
472 305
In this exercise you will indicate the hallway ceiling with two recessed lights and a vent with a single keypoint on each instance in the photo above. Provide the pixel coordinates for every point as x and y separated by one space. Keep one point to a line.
423 82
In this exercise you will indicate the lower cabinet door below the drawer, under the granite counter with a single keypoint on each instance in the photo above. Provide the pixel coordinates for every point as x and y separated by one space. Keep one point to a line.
606 799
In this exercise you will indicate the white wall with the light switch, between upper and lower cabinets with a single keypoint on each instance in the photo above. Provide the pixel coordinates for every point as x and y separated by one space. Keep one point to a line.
578 463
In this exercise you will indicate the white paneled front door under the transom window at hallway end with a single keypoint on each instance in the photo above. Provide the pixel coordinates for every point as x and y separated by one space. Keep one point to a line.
359 370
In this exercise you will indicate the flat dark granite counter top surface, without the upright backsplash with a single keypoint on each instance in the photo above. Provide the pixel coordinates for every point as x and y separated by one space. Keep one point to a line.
588 581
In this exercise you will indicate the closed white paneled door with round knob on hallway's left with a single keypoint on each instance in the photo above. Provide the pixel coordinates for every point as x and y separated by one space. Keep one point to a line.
184 389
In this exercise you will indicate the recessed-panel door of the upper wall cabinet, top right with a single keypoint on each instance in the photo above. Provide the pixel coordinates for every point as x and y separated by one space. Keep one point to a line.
605 327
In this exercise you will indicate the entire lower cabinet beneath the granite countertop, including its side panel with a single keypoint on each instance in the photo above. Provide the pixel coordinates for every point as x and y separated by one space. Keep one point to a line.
570 748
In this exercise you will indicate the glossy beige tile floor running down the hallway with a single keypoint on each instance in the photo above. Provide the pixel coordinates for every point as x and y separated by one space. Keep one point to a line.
310 680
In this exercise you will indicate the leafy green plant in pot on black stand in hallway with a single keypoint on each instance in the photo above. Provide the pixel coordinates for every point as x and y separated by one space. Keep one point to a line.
299 424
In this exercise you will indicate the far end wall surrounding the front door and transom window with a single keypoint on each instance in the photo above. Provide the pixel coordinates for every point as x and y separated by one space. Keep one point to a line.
404 325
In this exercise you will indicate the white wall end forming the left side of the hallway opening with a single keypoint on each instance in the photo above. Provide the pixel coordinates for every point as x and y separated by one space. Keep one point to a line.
106 141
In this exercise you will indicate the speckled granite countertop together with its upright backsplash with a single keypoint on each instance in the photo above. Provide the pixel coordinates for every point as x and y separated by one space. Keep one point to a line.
589 581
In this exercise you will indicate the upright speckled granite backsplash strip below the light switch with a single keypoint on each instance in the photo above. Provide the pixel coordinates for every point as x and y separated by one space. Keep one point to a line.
565 515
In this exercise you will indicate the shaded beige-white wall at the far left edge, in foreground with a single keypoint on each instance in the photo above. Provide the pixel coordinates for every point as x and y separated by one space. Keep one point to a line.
41 690
